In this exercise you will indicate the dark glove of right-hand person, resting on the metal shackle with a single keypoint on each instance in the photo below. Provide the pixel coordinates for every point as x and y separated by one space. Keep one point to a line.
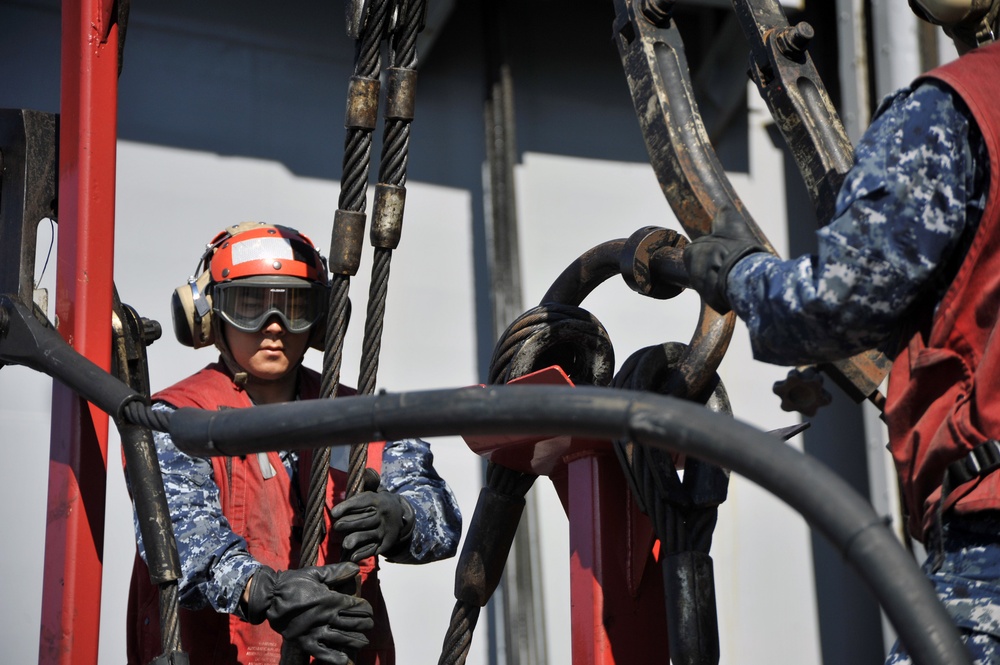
709 259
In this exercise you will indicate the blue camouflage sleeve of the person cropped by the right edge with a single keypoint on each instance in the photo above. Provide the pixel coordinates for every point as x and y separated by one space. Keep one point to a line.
902 213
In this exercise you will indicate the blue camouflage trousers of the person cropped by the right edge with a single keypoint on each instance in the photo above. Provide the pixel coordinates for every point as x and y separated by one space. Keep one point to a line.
968 584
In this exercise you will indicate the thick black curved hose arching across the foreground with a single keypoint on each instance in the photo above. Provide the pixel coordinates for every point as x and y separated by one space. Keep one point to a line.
826 501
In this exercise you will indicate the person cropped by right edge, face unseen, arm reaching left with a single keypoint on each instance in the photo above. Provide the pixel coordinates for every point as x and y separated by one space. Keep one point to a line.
907 265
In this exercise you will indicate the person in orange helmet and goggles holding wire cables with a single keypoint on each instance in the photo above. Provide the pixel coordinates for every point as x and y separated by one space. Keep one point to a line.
238 521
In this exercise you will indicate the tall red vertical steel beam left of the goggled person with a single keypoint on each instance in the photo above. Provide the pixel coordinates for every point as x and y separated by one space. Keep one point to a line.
74 536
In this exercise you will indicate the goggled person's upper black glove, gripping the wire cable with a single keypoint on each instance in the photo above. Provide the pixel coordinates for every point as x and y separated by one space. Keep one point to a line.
374 523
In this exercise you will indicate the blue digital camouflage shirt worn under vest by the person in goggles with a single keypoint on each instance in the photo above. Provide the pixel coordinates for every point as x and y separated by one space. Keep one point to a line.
215 564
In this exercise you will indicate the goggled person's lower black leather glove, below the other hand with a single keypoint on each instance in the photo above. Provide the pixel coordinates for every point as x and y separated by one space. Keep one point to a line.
314 608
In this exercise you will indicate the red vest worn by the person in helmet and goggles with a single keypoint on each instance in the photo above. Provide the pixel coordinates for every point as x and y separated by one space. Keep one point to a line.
267 512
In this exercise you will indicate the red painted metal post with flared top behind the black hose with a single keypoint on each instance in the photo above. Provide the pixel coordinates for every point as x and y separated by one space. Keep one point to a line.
616 585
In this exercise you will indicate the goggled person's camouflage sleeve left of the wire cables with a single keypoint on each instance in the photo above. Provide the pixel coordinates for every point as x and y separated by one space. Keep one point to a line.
215 564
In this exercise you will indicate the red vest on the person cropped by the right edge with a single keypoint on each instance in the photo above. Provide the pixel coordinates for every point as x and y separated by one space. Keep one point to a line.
944 389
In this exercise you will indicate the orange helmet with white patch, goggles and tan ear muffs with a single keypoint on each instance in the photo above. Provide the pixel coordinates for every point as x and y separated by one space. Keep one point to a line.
251 272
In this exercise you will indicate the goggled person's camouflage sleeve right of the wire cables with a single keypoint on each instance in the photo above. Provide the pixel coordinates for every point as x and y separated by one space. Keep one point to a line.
408 469
